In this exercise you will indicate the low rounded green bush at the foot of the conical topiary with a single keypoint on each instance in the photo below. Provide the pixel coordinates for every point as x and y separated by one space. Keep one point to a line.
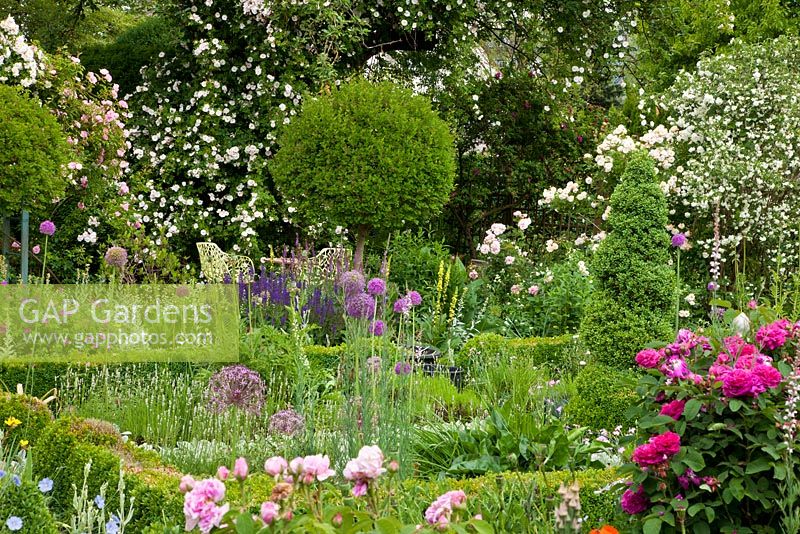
602 396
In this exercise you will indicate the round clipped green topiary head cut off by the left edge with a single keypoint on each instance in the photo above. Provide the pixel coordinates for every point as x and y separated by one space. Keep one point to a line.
34 150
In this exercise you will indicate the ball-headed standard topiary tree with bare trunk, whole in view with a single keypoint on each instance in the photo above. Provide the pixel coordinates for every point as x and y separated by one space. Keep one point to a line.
366 156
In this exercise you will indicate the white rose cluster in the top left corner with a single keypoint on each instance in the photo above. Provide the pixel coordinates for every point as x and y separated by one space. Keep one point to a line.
20 61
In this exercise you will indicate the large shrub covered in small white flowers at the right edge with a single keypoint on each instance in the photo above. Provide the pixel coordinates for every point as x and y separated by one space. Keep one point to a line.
729 153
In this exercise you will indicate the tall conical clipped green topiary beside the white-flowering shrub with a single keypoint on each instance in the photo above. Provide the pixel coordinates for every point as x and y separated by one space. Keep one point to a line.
634 285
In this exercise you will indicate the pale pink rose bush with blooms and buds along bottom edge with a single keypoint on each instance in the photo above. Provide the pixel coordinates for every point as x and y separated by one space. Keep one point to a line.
296 501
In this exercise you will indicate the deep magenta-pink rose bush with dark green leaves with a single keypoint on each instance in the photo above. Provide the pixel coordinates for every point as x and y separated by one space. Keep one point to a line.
711 453
